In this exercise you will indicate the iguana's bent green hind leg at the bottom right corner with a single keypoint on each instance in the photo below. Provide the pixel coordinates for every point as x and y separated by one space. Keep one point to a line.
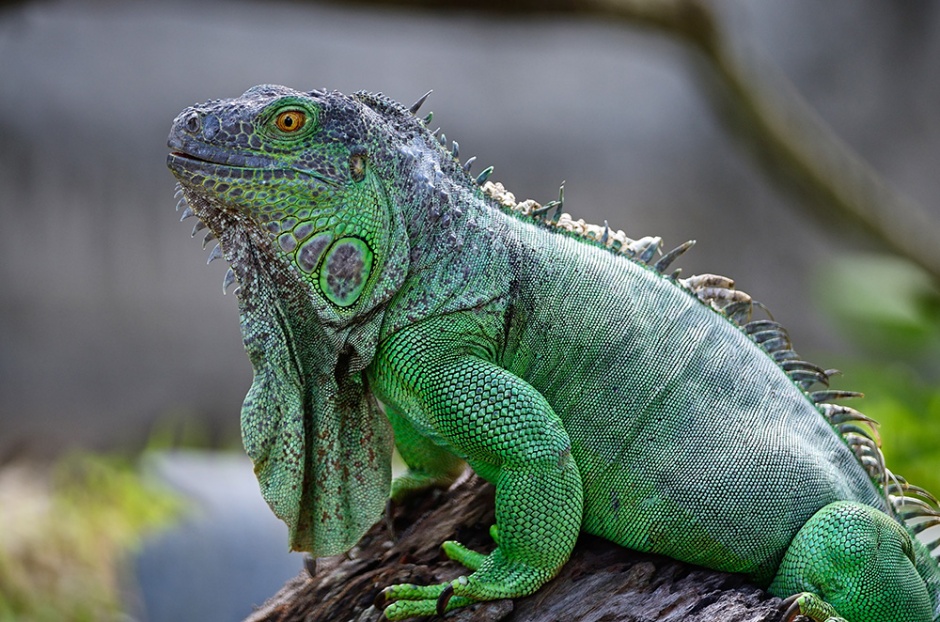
854 562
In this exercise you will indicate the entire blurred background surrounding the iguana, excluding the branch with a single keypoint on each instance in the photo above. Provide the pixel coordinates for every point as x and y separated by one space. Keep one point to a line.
116 340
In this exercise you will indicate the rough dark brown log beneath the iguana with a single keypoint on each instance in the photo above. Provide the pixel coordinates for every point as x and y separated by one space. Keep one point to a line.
601 582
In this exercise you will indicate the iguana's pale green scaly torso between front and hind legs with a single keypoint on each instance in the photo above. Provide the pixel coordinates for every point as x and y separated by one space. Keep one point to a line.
672 410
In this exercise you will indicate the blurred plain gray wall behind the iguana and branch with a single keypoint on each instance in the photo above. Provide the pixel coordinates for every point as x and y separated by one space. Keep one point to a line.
109 320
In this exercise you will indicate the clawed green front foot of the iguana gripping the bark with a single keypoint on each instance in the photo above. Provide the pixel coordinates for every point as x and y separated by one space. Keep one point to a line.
494 578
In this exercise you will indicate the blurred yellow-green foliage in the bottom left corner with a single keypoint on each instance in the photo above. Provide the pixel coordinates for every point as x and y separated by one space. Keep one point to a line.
65 533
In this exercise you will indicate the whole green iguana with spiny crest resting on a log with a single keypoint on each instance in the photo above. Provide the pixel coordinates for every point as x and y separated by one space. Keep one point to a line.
561 361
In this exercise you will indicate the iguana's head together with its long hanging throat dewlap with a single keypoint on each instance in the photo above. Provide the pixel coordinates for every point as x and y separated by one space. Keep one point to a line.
295 187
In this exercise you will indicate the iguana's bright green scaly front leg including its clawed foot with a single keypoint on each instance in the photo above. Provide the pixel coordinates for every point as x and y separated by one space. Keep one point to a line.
510 435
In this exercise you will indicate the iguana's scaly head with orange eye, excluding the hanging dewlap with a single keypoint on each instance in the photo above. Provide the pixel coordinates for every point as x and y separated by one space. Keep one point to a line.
300 168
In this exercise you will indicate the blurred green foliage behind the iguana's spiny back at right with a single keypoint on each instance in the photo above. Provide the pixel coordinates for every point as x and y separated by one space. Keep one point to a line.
891 311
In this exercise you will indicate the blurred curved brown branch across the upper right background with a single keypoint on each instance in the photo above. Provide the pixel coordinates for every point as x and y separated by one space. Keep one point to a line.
761 108
